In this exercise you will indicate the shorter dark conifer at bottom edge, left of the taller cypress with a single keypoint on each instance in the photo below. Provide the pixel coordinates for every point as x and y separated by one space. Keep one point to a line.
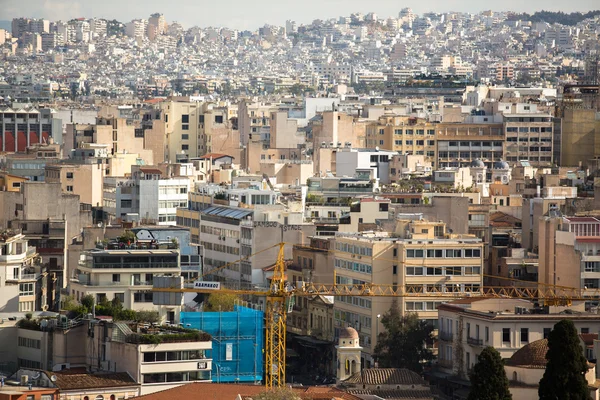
488 379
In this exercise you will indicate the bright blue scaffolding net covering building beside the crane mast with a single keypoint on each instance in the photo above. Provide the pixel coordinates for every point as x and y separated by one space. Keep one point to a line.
238 341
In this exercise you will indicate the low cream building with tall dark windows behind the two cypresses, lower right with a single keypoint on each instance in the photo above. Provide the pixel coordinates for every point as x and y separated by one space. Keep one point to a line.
467 326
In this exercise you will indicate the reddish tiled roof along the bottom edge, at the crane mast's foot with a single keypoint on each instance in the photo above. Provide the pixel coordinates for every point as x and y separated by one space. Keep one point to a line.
230 391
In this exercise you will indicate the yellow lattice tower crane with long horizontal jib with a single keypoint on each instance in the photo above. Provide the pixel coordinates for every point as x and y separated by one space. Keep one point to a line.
279 294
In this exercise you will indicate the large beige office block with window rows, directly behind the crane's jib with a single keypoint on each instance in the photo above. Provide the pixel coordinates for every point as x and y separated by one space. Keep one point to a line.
420 256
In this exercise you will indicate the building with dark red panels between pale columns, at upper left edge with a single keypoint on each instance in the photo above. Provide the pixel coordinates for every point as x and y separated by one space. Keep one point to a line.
21 128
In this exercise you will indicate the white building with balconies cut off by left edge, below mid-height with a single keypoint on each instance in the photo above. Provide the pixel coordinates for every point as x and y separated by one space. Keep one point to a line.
23 286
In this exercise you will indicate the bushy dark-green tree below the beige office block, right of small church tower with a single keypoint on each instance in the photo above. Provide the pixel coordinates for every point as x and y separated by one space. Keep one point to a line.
402 344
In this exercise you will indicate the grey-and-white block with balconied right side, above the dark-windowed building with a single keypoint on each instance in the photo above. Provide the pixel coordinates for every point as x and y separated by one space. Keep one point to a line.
149 194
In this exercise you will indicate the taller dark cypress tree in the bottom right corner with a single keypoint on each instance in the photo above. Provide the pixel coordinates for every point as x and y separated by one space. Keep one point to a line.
564 377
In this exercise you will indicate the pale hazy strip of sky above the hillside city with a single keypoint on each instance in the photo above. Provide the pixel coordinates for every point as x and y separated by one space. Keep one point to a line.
241 14
